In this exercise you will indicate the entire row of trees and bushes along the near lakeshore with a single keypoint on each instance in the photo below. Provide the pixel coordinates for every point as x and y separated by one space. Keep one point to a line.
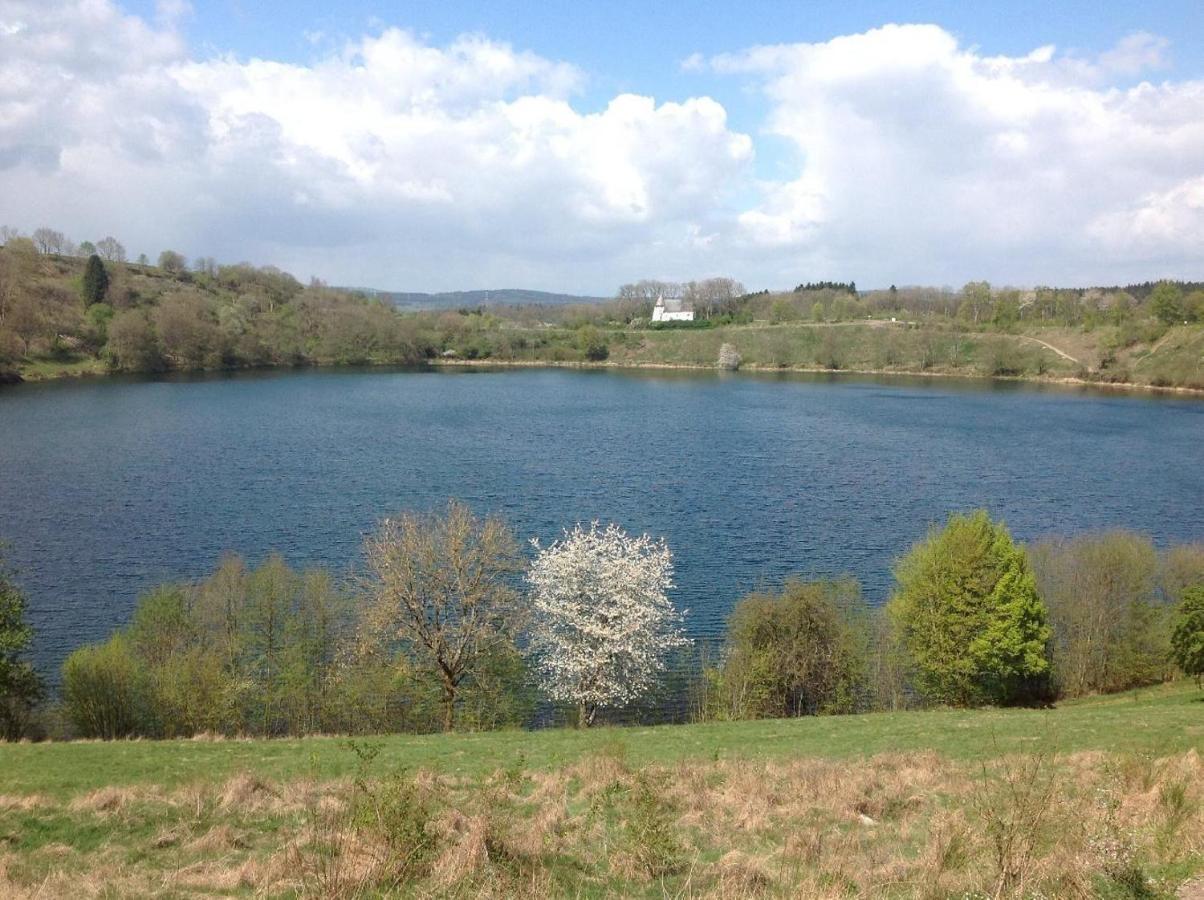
450 627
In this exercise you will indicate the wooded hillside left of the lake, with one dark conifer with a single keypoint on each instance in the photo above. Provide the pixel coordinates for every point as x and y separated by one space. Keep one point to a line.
172 316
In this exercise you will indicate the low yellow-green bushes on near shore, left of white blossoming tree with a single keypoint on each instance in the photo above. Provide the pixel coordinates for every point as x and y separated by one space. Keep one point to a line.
272 652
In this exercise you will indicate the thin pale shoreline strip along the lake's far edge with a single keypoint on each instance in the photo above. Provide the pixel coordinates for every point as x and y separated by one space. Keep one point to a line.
438 364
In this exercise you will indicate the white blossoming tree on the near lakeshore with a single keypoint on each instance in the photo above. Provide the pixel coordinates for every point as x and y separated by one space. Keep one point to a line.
603 625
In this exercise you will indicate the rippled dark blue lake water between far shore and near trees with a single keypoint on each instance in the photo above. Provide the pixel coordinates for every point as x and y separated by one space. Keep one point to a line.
108 488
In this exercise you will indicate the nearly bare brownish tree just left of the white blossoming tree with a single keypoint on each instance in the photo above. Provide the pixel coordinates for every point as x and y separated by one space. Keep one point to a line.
442 584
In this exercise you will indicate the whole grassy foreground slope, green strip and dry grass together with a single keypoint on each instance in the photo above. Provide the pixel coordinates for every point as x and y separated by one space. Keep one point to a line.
1099 797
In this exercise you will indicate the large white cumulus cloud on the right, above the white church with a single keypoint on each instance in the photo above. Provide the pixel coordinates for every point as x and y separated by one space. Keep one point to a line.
920 159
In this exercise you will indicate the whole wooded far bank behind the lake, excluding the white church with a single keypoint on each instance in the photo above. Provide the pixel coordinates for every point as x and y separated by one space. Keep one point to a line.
86 310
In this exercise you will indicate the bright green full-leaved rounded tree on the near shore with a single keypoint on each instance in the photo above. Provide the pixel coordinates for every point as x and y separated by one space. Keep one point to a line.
967 611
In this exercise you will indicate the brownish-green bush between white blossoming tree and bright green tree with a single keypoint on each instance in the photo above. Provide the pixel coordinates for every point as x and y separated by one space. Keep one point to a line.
801 653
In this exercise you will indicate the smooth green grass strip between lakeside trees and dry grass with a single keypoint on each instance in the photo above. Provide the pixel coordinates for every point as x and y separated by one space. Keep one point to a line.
1154 721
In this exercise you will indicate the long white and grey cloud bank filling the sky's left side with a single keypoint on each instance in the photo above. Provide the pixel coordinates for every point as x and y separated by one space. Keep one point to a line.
389 161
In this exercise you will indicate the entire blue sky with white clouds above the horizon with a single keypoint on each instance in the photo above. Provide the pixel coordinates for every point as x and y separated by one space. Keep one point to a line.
574 147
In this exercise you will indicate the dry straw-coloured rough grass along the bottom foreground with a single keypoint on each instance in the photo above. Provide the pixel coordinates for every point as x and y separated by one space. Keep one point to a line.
896 825
